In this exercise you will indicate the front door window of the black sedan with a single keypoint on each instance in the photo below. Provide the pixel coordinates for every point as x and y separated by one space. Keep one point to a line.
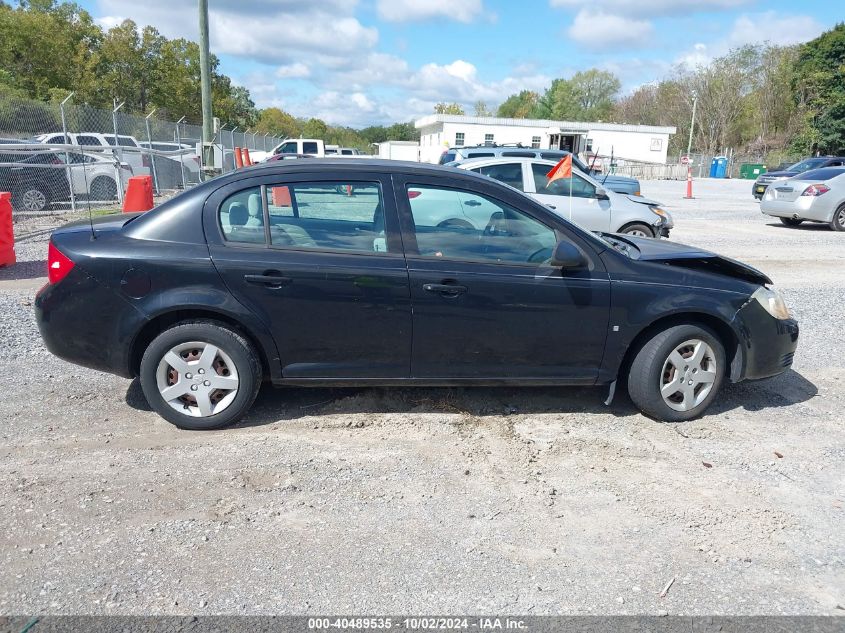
461 225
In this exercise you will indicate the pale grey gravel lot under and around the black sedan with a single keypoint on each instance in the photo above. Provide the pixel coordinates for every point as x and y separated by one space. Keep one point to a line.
522 501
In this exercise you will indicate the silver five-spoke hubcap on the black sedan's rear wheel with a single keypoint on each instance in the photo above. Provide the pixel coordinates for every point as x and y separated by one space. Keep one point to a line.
197 379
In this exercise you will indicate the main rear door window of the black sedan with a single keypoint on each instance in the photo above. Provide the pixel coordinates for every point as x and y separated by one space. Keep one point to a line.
330 216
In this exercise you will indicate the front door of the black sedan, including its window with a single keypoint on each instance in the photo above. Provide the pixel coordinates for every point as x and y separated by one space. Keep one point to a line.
486 302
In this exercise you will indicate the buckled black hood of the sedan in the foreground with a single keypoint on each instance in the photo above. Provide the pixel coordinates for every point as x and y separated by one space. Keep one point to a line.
692 258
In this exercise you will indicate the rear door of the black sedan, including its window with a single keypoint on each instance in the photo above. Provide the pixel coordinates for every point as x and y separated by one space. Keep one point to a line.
322 264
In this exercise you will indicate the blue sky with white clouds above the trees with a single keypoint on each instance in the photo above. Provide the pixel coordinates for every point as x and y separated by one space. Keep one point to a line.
369 62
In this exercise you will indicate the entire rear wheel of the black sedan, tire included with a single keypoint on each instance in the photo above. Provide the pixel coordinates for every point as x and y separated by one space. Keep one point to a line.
181 363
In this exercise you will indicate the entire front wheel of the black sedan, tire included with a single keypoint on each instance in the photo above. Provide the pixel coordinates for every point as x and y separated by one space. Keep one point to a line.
653 371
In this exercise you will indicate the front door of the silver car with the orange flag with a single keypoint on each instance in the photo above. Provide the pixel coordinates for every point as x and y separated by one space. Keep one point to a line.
583 207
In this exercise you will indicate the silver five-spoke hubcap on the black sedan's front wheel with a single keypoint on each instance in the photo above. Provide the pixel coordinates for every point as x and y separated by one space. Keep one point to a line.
688 375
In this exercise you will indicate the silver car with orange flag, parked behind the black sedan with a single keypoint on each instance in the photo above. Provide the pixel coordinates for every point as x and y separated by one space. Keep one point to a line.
593 207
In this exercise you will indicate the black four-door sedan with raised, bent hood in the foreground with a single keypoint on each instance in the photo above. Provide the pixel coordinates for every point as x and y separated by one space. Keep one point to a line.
337 272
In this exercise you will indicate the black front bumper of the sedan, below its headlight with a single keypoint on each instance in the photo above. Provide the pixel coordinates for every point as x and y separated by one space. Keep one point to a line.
767 344
